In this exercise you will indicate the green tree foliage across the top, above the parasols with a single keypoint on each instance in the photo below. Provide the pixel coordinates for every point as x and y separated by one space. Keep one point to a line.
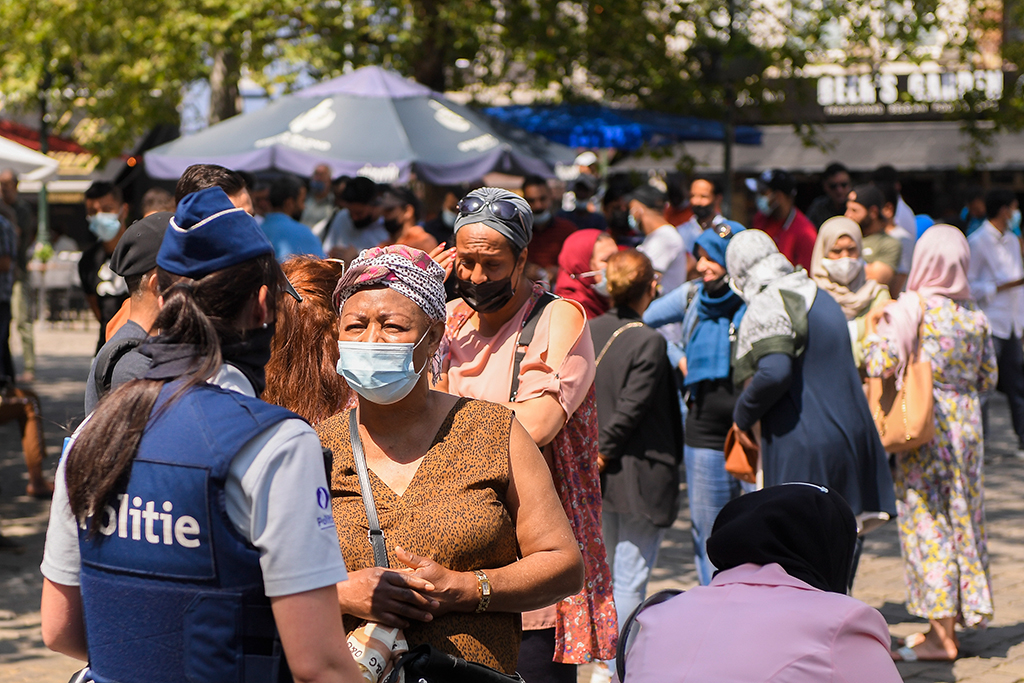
124 66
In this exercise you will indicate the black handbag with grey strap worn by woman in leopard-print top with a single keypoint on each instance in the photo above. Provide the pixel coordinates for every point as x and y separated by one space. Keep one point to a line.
423 664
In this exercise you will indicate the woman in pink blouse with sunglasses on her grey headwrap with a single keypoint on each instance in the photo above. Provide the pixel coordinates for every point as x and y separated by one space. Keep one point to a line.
511 343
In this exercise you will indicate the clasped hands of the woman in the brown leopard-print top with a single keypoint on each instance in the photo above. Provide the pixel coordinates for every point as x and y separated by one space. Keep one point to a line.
389 597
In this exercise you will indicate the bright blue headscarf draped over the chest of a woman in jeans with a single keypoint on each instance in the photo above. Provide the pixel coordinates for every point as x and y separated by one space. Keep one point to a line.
709 351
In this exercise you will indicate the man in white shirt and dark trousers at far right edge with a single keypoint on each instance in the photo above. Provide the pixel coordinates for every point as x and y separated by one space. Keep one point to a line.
997 277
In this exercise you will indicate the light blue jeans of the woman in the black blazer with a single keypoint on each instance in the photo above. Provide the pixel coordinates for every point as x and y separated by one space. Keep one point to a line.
632 543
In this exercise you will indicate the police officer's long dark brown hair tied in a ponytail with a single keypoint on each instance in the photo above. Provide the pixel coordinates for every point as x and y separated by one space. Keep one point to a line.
201 313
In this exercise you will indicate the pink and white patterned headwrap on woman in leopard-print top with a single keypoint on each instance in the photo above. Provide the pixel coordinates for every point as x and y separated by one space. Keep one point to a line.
407 271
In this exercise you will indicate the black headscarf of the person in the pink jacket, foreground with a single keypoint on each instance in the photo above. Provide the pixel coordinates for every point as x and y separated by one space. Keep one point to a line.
808 530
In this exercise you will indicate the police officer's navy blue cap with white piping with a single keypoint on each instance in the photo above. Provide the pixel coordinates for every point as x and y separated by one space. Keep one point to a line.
208 234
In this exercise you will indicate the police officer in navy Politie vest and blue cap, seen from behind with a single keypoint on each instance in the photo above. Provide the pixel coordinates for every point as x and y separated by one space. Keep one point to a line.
191 537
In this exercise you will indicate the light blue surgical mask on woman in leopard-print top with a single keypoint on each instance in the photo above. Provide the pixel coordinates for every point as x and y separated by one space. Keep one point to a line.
381 373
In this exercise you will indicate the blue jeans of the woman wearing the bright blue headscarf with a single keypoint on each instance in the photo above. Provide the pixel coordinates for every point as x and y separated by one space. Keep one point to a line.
709 488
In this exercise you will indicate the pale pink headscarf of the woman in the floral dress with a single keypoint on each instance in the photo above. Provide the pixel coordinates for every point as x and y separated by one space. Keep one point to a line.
941 263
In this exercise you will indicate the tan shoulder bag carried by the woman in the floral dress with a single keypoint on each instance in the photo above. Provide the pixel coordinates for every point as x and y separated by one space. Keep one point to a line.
905 417
